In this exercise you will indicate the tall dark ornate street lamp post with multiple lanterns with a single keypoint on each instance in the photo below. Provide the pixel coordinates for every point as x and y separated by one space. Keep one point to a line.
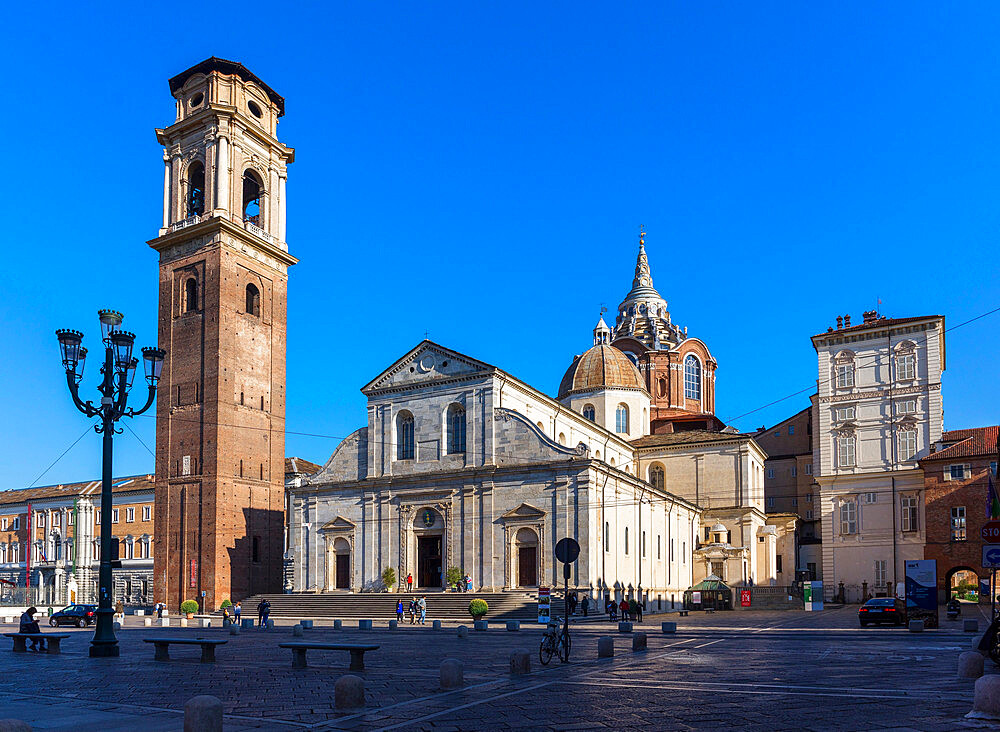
117 373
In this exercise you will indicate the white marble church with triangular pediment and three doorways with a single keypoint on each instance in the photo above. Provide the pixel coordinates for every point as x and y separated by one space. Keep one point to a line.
490 476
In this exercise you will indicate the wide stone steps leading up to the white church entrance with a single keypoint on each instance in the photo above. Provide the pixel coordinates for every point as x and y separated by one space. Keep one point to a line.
450 606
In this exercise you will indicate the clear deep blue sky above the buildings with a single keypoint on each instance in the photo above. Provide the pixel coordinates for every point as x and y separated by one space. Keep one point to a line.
479 172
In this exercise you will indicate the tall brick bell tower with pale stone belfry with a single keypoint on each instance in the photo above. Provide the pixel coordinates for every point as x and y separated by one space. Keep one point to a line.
223 291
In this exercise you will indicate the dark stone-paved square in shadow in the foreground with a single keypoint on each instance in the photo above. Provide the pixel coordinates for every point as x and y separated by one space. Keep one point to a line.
739 670
